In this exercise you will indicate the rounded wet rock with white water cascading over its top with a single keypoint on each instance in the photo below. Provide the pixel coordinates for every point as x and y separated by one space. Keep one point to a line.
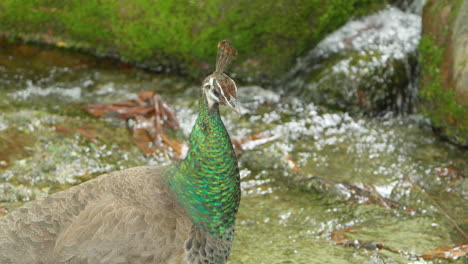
366 66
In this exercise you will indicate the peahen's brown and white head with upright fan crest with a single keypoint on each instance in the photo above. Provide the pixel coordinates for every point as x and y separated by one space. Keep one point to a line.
218 88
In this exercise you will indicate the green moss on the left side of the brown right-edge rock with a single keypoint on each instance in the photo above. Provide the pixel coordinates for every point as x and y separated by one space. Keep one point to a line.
439 103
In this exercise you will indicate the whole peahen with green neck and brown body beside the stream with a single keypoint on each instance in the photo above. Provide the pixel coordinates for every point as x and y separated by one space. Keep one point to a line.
180 213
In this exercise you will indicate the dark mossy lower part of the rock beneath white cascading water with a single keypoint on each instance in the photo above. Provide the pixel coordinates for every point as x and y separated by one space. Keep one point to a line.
352 82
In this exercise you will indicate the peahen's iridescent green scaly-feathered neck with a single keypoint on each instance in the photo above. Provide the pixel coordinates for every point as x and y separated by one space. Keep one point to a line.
207 181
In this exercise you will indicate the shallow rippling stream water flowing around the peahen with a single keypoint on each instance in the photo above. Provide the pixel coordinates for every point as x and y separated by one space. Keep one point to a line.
297 204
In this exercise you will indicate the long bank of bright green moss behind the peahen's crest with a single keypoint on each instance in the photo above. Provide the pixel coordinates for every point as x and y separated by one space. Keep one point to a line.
181 35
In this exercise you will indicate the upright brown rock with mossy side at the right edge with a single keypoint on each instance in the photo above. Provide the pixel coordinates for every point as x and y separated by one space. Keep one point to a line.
443 89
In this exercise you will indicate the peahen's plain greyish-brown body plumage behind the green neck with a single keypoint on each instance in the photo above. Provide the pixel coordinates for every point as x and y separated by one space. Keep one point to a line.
122 217
